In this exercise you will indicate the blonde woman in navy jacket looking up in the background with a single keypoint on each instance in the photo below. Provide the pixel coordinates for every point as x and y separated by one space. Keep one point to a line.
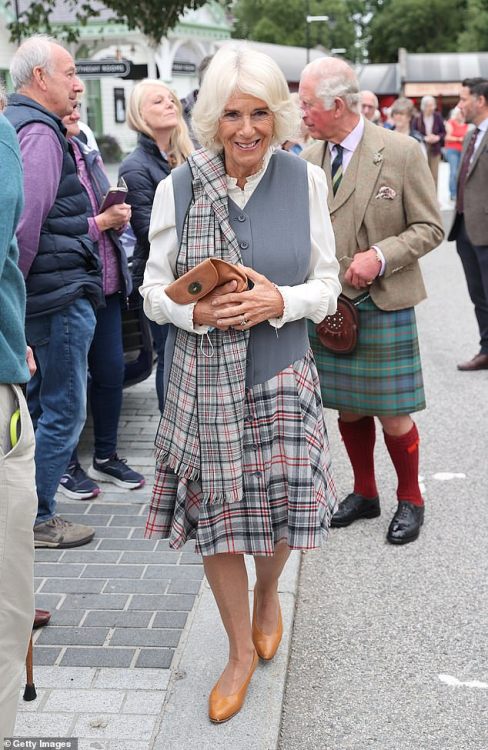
163 142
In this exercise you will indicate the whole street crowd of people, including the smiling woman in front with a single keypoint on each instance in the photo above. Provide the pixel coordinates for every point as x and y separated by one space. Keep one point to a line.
242 250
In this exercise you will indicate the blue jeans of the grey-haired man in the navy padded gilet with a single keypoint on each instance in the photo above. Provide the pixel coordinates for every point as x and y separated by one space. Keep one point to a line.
57 393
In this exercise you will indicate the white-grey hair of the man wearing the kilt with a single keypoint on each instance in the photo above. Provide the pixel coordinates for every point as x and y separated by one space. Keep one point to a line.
335 78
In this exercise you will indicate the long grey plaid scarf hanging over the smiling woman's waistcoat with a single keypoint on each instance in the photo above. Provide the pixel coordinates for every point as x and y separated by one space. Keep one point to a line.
200 434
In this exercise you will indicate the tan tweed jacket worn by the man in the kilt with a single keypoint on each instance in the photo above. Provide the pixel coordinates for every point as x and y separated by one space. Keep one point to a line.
386 198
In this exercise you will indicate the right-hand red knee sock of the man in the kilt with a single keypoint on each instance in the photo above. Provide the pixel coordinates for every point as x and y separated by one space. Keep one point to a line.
404 452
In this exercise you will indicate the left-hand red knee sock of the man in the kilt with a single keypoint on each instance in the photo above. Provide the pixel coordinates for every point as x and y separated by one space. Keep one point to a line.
359 438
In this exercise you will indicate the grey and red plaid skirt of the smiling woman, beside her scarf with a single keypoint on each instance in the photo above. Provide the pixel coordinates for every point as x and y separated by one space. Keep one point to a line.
289 493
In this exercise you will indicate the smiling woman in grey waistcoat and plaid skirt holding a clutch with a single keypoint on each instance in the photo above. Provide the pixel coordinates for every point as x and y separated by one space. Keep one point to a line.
242 452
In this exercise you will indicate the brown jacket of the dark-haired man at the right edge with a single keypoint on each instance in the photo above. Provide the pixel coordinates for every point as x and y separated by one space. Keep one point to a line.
475 195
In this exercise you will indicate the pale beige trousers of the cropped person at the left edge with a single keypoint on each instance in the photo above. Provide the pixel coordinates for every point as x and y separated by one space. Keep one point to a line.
18 507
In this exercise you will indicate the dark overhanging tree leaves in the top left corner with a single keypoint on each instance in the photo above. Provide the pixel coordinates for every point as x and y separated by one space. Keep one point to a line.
153 17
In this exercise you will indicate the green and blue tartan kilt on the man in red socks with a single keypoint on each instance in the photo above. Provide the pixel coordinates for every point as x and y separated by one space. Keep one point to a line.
383 375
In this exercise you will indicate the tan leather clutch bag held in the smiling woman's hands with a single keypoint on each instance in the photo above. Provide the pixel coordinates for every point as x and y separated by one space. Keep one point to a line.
203 279
